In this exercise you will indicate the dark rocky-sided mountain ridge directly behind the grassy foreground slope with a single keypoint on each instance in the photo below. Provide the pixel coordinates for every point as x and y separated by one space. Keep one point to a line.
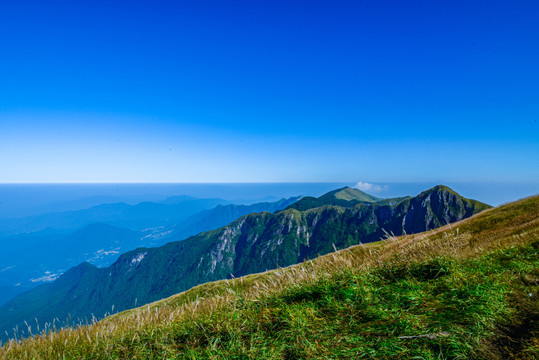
253 243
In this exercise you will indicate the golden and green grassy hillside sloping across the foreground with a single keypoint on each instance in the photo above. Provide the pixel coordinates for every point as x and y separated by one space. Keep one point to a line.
467 290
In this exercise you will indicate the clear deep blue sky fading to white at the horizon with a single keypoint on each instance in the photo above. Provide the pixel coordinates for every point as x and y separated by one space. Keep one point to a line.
269 91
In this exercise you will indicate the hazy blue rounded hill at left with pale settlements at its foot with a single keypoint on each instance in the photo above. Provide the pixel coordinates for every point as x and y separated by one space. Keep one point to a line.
32 259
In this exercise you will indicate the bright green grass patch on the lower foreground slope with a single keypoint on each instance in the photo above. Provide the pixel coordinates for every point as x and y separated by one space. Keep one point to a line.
463 305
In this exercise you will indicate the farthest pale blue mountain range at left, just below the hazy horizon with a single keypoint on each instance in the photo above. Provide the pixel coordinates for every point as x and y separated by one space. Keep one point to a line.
135 217
